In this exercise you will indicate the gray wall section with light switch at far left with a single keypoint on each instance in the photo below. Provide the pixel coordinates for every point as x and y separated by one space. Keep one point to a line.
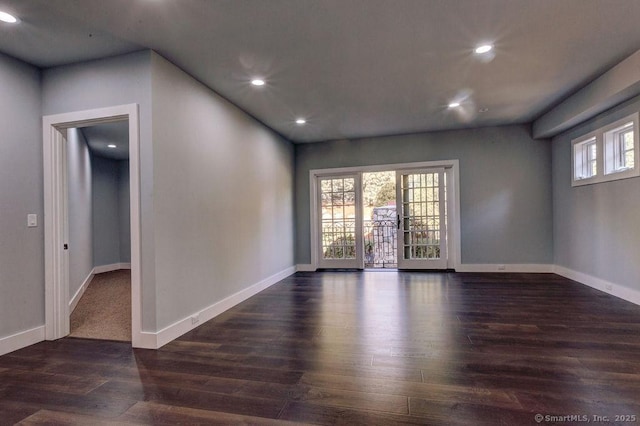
21 193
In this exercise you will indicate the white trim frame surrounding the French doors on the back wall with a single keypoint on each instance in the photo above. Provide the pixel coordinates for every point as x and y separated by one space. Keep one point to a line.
452 169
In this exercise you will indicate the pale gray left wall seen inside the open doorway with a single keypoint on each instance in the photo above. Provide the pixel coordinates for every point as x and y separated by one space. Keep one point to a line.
79 209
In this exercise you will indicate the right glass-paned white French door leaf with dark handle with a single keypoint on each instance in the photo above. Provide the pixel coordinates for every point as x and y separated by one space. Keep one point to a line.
422 225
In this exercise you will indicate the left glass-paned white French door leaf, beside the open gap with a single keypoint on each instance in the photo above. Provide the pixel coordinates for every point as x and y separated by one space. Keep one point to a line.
340 221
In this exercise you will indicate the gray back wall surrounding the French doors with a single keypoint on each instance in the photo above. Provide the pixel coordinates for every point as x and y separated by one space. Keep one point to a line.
505 181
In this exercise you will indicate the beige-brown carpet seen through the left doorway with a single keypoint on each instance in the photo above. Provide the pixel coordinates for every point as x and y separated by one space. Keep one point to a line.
104 311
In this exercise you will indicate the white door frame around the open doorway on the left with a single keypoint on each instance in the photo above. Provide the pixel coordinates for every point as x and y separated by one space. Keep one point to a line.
56 215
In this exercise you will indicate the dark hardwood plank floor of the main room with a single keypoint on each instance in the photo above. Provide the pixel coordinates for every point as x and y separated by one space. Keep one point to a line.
370 348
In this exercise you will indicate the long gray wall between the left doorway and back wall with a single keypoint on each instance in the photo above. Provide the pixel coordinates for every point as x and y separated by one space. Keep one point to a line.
223 197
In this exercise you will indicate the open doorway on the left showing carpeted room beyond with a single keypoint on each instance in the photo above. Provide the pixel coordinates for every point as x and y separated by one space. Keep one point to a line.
98 193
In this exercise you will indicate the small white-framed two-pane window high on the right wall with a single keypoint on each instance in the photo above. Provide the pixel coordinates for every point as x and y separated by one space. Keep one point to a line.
607 154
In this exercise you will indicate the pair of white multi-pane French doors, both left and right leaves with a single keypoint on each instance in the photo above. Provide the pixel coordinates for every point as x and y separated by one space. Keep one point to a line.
420 231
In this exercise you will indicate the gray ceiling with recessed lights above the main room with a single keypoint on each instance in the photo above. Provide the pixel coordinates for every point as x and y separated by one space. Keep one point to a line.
352 68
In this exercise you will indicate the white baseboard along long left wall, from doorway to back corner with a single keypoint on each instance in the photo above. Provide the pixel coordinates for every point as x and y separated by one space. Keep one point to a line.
156 340
